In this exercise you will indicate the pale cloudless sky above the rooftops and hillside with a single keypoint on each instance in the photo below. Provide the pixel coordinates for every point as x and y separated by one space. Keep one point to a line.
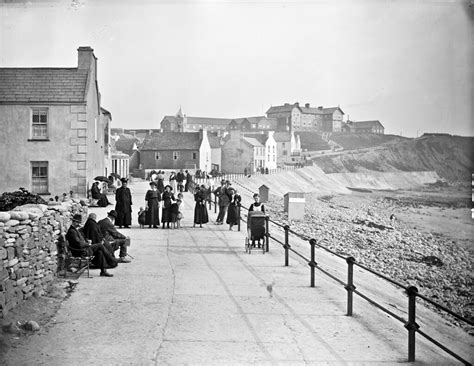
405 63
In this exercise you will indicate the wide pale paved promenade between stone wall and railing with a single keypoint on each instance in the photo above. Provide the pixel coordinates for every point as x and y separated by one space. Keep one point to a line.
194 297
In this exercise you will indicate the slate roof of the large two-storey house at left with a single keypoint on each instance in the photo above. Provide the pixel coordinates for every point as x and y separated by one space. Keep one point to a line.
43 85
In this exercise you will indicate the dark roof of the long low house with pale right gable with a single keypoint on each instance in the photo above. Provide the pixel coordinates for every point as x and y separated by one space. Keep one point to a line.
172 141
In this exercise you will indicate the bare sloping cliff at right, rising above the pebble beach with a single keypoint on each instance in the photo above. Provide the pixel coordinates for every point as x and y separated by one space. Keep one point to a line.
449 156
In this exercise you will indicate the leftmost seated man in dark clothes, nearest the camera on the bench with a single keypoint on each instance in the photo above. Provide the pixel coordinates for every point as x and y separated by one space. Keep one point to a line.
78 245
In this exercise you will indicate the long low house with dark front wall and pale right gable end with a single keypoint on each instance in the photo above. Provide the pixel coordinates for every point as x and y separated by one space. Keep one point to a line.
171 150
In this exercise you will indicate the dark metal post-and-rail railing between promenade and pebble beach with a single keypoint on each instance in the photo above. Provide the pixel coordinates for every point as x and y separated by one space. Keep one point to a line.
411 291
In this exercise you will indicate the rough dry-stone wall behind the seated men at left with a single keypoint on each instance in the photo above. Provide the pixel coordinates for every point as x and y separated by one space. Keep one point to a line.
28 248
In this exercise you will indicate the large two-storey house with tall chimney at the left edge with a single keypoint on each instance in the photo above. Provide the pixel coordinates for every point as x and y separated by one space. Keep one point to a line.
54 134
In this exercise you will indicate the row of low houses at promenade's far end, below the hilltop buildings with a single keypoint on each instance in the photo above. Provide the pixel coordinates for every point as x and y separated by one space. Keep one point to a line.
235 152
